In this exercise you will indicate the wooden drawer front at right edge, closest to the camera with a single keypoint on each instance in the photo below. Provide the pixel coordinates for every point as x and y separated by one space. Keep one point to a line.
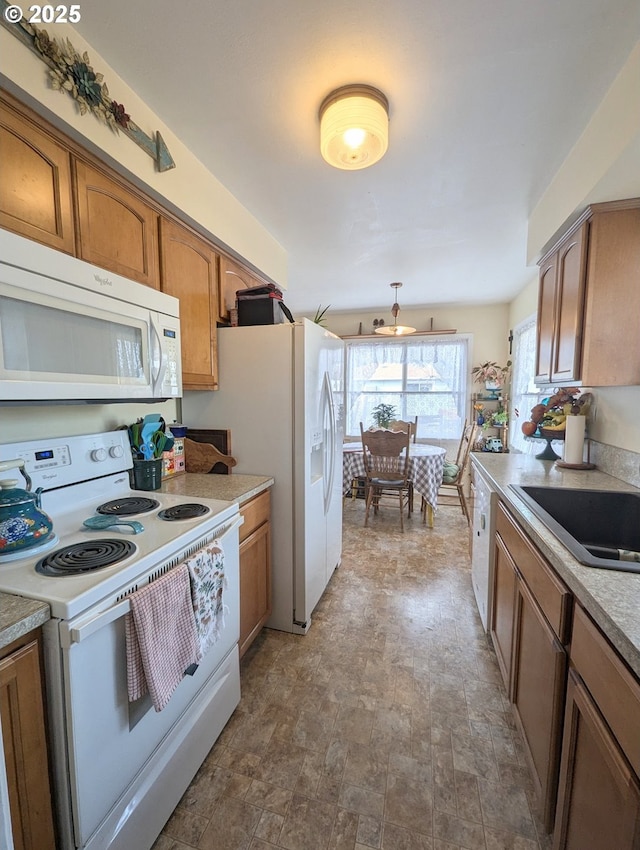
613 688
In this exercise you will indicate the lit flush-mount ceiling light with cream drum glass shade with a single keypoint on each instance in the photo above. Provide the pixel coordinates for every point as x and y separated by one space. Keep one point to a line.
354 127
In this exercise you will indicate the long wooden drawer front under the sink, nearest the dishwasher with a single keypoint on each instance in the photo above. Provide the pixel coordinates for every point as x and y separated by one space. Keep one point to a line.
550 593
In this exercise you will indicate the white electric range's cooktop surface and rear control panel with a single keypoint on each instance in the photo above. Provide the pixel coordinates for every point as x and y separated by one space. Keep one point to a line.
79 475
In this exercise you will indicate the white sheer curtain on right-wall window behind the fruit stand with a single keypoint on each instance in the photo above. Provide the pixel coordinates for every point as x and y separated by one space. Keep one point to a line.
524 393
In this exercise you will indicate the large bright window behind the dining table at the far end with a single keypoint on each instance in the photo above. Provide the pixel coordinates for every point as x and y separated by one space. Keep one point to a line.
420 377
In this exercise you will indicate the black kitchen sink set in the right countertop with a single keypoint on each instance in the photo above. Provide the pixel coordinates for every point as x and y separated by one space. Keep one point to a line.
601 528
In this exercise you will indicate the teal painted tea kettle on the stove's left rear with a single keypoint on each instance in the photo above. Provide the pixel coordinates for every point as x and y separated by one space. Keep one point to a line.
23 523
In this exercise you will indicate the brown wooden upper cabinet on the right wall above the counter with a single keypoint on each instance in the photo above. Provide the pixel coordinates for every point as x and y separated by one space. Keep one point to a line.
589 300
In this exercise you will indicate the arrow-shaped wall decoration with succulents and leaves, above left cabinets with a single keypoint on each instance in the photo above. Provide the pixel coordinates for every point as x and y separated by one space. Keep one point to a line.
72 73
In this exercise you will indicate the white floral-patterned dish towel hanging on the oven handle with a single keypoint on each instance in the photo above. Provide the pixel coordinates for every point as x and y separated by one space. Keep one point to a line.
206 569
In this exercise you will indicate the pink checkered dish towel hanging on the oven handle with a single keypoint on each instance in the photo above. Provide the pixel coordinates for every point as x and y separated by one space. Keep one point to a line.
161 637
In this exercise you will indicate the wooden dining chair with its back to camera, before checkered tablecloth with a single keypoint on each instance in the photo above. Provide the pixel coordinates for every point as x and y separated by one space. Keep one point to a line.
386 464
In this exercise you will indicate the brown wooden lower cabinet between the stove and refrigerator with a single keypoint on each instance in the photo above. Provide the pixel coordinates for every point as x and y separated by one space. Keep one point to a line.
255 568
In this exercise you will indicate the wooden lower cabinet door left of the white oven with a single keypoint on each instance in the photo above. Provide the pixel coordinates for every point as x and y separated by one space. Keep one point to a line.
25 749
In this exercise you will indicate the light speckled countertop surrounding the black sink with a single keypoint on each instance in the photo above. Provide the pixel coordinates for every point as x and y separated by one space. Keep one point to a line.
611 597
